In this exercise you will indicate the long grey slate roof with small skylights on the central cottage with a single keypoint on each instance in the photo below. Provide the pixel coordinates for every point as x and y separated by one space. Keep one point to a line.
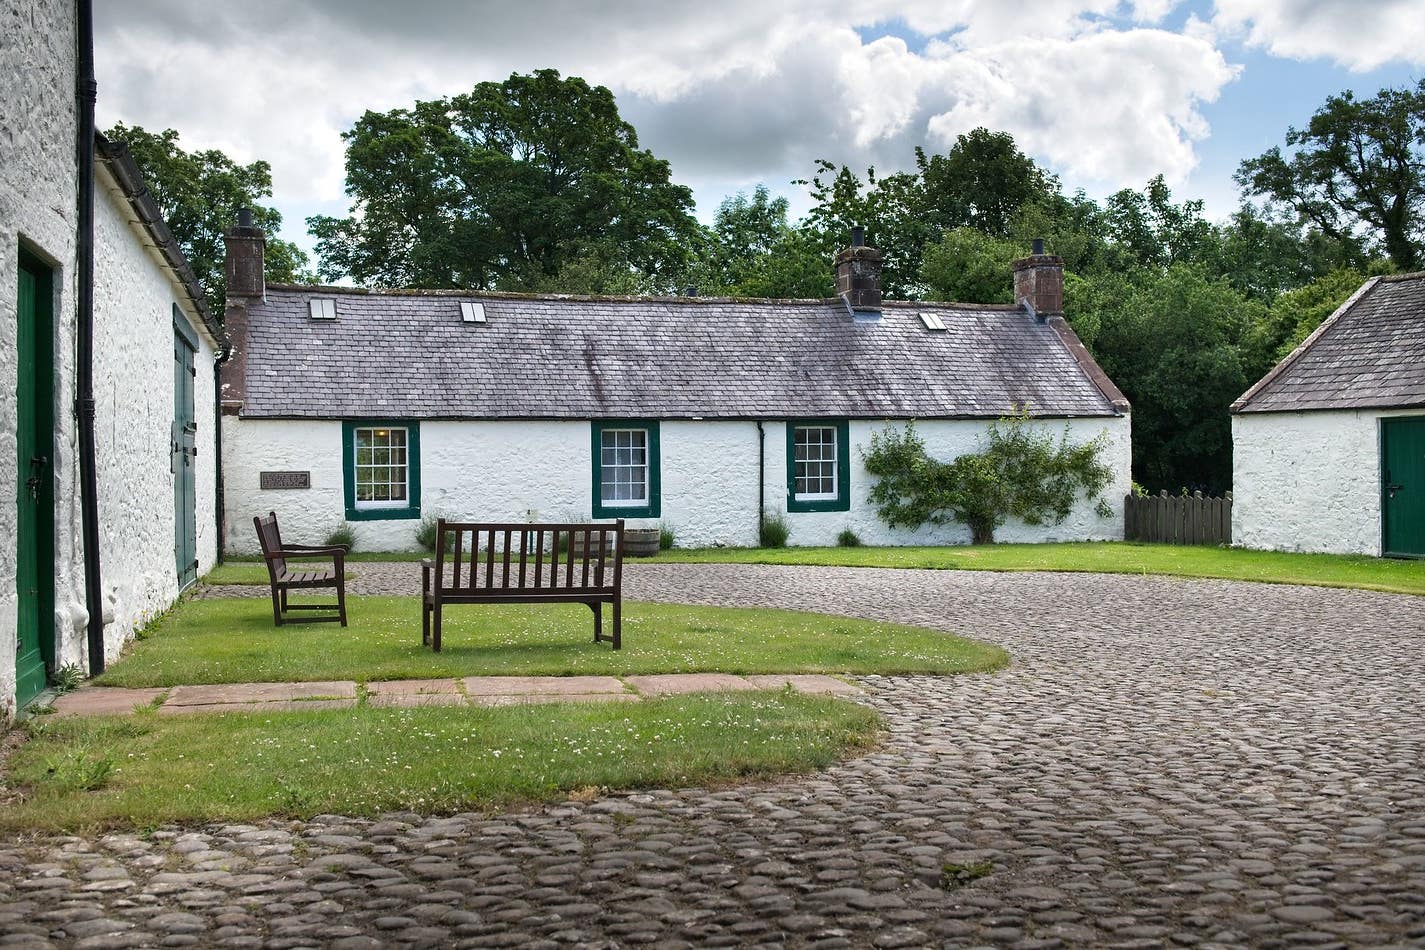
410 355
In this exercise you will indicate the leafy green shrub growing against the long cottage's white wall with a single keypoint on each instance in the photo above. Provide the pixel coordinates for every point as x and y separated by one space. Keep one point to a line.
1024 474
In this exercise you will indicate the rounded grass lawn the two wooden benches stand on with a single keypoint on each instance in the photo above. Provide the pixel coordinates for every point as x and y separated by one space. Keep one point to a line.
234 642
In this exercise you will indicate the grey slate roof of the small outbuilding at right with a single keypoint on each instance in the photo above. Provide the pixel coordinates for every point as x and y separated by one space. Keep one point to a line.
1367 355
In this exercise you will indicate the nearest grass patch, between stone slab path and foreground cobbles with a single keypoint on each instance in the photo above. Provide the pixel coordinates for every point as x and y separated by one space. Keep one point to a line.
150 770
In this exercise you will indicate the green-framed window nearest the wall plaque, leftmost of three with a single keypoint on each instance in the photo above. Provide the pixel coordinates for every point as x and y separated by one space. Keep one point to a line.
384 469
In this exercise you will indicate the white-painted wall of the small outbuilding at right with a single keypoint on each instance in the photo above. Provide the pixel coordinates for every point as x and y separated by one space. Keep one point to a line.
1309 481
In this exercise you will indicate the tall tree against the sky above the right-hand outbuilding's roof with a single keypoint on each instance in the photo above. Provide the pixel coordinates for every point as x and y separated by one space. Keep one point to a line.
1359 165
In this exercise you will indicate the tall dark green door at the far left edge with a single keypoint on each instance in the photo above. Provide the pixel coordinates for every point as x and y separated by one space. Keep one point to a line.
35 522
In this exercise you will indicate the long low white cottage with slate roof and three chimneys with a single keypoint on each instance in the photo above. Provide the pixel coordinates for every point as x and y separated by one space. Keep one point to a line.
708 415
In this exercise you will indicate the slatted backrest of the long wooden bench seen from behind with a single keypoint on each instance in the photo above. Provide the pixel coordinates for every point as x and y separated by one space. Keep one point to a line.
574 559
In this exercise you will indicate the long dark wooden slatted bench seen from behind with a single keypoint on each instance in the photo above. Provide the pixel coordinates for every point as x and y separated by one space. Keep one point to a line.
524 565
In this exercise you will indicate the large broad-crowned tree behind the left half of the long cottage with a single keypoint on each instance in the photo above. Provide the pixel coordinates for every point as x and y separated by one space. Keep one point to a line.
502 189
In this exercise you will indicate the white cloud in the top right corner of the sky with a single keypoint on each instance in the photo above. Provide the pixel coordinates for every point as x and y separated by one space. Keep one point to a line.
1360 35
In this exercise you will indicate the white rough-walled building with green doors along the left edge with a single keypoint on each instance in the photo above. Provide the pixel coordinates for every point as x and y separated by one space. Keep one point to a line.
81 234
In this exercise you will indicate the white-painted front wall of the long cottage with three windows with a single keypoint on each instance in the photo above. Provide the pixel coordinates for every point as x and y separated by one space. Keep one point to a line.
542 471
